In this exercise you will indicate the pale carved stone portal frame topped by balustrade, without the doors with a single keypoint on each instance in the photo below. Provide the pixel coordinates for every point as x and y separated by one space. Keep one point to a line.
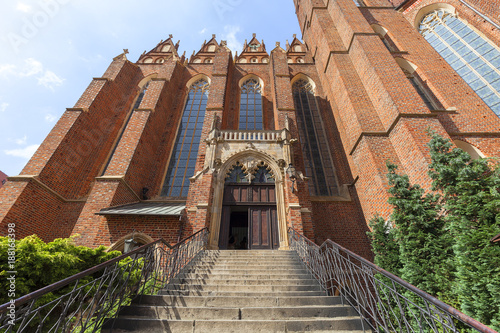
251 149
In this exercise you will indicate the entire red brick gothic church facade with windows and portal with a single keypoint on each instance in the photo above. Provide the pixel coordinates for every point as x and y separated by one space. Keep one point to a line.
167 145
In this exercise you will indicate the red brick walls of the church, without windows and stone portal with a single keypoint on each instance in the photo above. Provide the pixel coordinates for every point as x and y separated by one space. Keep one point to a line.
370 111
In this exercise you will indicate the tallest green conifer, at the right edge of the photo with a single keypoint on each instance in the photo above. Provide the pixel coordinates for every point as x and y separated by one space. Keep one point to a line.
471 200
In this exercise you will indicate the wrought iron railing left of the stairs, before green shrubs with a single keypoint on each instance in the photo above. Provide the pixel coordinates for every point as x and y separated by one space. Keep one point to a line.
95 295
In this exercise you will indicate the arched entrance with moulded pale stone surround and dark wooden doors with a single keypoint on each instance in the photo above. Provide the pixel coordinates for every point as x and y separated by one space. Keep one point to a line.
249 201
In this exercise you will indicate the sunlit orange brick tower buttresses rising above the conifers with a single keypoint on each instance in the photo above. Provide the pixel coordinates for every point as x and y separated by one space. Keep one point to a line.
377 112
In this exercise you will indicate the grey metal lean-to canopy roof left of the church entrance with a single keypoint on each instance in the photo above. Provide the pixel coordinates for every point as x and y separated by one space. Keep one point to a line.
146 208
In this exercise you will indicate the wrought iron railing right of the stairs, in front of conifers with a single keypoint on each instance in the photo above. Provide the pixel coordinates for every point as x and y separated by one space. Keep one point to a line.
385 302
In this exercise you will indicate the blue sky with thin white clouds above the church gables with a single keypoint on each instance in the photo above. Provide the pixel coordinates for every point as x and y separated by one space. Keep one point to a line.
51 49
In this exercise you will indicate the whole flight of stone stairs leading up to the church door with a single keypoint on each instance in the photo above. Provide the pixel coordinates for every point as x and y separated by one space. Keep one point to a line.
240 291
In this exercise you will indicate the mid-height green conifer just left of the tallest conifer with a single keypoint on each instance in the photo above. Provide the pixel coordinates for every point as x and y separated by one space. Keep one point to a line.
424 245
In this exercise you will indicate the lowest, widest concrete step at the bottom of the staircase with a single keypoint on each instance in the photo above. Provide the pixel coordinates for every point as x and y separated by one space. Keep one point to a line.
149 325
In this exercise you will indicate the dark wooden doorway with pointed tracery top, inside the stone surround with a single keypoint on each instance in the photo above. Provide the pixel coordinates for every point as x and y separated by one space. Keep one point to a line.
249 214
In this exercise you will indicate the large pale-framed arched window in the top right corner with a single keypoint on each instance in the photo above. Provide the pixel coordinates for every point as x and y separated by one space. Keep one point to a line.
474 58
